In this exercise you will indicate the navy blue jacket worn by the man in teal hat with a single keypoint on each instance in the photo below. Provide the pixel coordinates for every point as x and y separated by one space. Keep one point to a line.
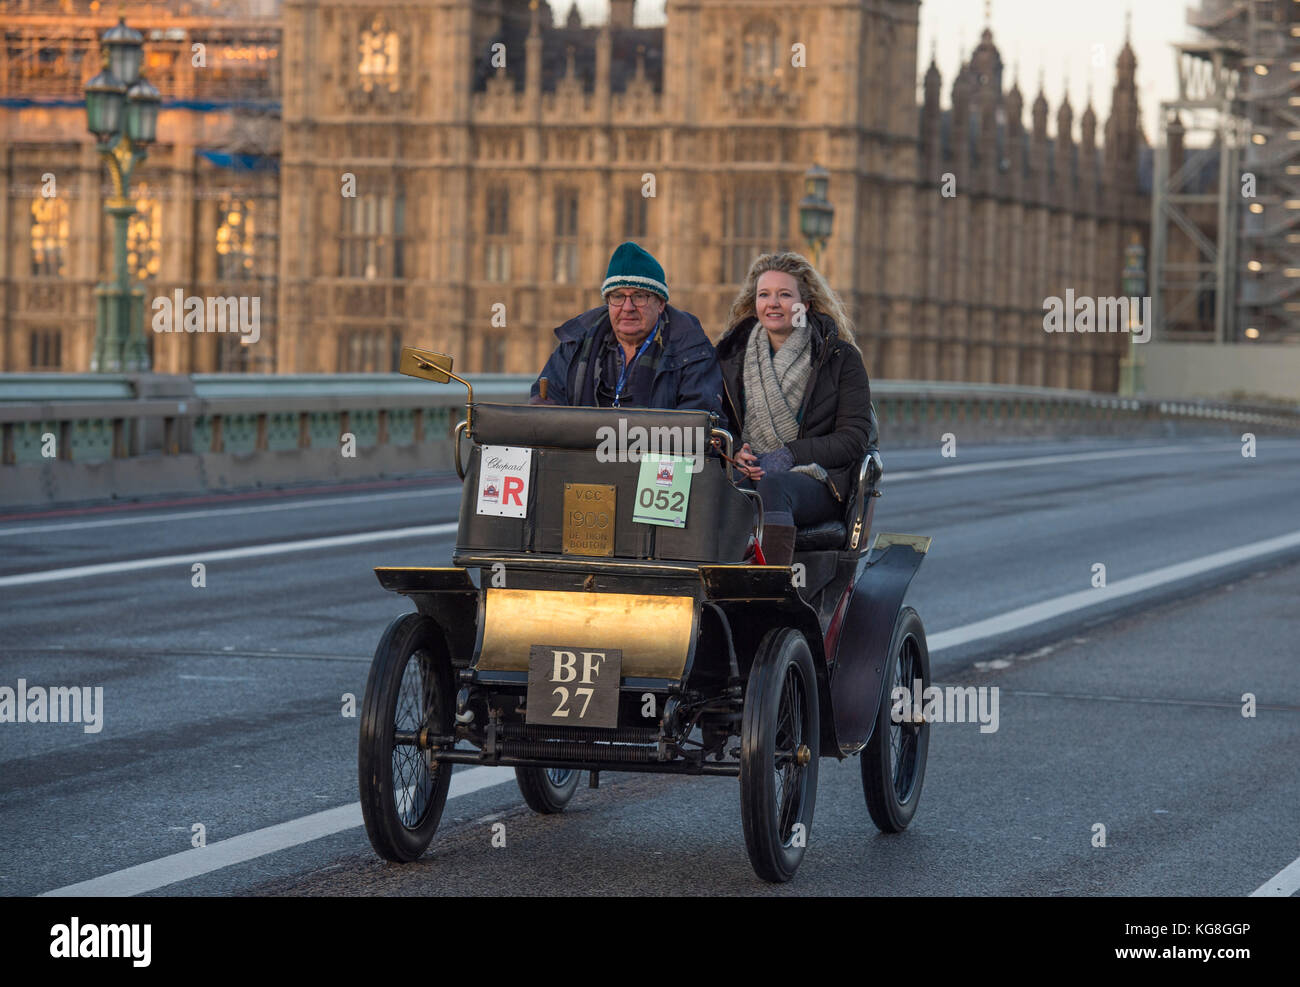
687 376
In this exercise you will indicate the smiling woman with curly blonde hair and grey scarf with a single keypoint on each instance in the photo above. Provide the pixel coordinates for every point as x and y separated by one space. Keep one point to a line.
796 393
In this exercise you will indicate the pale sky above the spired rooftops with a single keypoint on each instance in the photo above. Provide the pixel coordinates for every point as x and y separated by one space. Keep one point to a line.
1048 40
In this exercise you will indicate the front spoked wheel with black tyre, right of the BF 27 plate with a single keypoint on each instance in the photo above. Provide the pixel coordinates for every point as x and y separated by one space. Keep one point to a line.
781 734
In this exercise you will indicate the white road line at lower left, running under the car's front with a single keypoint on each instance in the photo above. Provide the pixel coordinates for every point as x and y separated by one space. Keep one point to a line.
239 850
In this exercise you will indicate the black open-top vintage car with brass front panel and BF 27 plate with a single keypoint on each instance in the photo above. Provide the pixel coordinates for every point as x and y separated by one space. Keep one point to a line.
605 613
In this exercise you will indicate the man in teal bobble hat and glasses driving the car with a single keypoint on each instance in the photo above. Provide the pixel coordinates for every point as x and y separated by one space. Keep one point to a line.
636 350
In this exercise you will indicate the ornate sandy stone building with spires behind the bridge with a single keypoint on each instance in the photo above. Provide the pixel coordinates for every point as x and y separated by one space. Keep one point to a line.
454 175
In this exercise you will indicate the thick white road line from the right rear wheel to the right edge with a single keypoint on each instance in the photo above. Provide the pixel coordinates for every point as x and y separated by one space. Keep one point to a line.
1084 599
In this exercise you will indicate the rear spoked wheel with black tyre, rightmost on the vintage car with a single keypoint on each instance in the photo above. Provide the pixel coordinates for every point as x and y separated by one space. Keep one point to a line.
894 764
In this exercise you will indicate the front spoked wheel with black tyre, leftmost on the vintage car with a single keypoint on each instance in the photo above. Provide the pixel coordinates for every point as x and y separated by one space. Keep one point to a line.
404 790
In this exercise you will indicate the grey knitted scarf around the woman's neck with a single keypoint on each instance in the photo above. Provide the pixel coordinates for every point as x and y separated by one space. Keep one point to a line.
774 391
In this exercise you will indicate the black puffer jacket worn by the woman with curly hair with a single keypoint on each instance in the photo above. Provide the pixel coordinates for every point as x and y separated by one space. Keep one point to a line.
835 419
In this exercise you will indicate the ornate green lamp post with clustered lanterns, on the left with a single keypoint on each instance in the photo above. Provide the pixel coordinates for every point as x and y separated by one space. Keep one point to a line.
123 114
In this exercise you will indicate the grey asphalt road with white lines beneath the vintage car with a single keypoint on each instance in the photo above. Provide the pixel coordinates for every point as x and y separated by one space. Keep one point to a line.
223 704
